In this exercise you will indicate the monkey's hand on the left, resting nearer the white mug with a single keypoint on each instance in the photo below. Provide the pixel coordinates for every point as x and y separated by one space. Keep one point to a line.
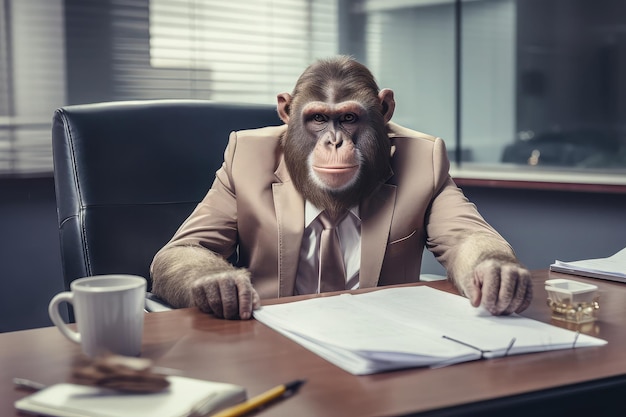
226 294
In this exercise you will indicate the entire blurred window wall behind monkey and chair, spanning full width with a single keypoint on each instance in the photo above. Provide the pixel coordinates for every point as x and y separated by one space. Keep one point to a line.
541 82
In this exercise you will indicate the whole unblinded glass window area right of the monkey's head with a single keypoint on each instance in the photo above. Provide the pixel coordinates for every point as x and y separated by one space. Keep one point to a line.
542 82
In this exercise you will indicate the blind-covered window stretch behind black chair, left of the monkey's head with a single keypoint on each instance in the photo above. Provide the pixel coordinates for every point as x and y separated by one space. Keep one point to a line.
59 52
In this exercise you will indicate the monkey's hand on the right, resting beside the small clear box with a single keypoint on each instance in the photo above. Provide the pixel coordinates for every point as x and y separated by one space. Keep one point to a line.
502 287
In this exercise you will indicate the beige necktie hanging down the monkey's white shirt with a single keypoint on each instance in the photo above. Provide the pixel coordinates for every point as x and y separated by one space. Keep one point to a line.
332 269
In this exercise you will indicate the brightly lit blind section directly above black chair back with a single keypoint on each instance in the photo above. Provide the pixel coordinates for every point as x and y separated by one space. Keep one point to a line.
243 51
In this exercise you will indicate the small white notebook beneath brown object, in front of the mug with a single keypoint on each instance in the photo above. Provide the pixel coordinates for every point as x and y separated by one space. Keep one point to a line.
180 399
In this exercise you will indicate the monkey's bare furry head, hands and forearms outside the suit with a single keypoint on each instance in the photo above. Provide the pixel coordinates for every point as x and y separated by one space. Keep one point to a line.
337 151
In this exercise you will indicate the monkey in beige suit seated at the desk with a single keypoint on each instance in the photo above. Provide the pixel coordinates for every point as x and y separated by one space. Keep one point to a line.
336 151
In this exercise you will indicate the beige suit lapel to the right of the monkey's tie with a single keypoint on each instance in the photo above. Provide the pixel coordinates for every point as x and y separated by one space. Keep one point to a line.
376 214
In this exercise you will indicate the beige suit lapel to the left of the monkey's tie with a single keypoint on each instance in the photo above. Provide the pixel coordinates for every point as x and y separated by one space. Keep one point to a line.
289 206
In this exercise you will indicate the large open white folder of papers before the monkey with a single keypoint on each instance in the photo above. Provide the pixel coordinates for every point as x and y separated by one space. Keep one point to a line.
406 327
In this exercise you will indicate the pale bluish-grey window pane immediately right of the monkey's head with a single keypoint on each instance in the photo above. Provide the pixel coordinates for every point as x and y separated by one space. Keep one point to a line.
420 71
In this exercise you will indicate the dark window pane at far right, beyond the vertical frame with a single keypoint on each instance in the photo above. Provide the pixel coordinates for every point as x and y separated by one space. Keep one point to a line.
571 84
